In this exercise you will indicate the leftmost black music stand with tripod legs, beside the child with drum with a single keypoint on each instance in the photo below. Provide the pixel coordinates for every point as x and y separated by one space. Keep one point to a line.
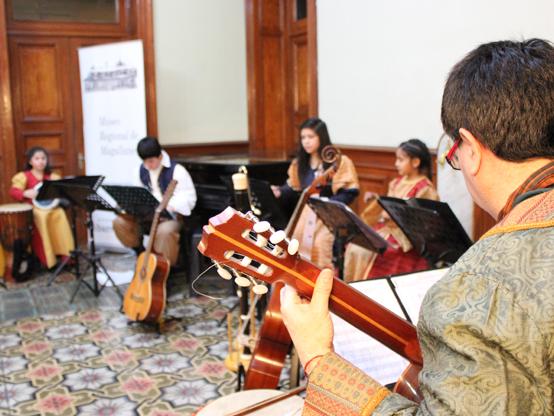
83 195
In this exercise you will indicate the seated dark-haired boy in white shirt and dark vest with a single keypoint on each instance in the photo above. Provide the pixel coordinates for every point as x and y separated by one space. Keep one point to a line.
155 173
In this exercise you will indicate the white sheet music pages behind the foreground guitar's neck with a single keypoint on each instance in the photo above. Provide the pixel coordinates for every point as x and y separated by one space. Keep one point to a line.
364 352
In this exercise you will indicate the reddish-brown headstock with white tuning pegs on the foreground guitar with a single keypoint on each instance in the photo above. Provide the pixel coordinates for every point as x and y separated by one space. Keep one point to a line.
255 251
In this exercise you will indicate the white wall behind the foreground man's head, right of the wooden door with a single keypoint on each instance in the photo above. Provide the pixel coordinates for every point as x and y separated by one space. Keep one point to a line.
382 65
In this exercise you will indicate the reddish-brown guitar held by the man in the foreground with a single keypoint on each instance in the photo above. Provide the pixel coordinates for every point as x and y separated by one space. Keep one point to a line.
253 250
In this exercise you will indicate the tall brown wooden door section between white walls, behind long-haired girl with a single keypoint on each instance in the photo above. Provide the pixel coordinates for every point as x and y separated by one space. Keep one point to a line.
281 73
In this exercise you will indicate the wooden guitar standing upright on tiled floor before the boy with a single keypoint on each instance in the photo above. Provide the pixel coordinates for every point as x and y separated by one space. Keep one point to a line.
146 295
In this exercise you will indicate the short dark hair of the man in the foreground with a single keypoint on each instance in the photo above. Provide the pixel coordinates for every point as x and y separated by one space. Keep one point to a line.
503 93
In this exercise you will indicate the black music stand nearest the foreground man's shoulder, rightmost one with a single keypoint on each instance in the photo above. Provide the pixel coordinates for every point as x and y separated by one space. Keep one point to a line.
431 226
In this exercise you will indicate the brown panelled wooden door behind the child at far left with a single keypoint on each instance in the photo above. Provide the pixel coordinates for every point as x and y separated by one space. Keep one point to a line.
42 107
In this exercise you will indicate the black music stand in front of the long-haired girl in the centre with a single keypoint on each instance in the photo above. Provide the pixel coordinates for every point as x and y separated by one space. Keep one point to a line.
347 227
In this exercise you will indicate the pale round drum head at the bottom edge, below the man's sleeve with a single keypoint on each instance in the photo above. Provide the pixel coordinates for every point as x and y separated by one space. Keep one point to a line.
237 401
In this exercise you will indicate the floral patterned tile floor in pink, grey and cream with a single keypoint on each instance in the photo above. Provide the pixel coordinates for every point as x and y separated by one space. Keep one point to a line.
61 358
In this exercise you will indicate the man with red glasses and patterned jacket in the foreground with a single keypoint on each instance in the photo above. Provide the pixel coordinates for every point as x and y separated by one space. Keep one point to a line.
486 329
